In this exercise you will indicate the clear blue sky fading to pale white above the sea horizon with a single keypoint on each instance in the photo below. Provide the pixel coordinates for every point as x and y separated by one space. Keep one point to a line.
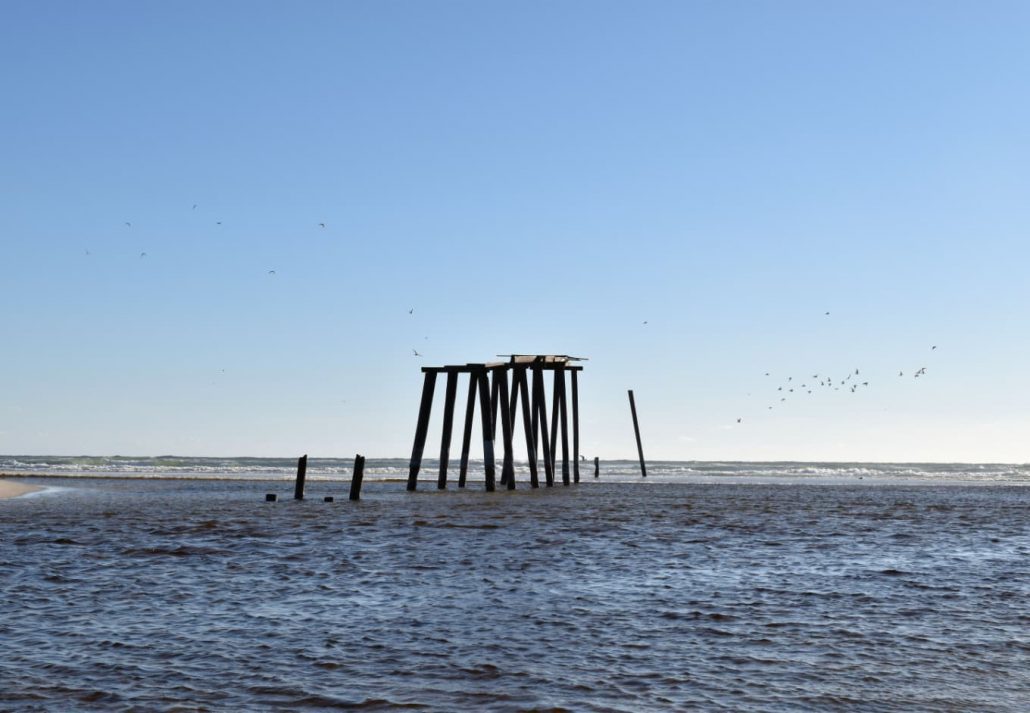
531 178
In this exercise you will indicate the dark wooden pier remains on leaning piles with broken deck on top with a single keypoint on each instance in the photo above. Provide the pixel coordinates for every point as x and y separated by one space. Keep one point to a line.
497 394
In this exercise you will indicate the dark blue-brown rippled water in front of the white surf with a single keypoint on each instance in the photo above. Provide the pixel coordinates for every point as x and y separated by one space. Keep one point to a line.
193 595
